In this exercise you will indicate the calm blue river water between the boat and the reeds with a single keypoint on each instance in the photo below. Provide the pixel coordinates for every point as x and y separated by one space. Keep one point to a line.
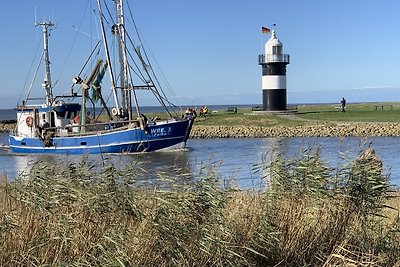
232 158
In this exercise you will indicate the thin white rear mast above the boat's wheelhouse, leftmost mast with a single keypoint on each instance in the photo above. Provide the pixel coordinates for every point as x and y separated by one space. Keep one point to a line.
47 79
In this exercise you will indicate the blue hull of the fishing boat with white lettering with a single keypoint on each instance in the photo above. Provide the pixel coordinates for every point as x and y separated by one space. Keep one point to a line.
155 137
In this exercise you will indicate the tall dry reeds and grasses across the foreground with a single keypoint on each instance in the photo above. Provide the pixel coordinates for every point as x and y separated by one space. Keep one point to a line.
309 215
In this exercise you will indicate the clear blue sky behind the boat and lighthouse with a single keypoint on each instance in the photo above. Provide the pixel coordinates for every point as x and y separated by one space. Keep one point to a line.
208 50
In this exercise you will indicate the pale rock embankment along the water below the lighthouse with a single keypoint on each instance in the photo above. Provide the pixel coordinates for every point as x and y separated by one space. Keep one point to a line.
358 129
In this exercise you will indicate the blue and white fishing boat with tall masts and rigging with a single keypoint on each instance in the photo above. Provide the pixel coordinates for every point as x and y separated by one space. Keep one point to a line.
69 124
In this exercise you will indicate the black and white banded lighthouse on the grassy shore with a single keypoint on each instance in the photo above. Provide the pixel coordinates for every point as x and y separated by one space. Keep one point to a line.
273 64
